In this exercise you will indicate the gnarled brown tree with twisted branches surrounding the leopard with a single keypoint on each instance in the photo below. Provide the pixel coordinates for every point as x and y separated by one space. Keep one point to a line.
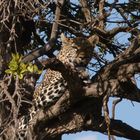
29 31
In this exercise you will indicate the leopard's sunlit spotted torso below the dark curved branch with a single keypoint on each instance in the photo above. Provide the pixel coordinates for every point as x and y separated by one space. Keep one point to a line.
50 90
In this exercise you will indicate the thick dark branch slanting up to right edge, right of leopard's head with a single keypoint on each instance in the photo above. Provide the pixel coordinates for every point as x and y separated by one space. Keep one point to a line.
110 70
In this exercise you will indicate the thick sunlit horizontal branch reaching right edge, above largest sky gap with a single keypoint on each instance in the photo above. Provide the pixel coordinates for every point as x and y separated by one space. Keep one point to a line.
115 88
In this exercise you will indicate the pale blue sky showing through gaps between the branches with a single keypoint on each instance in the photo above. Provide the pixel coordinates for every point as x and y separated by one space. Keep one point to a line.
125 110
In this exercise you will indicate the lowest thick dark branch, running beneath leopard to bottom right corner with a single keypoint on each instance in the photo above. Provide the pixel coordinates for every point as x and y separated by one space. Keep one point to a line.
84 118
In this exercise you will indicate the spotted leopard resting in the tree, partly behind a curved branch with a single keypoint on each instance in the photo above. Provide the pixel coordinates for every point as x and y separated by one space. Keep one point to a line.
76 53
